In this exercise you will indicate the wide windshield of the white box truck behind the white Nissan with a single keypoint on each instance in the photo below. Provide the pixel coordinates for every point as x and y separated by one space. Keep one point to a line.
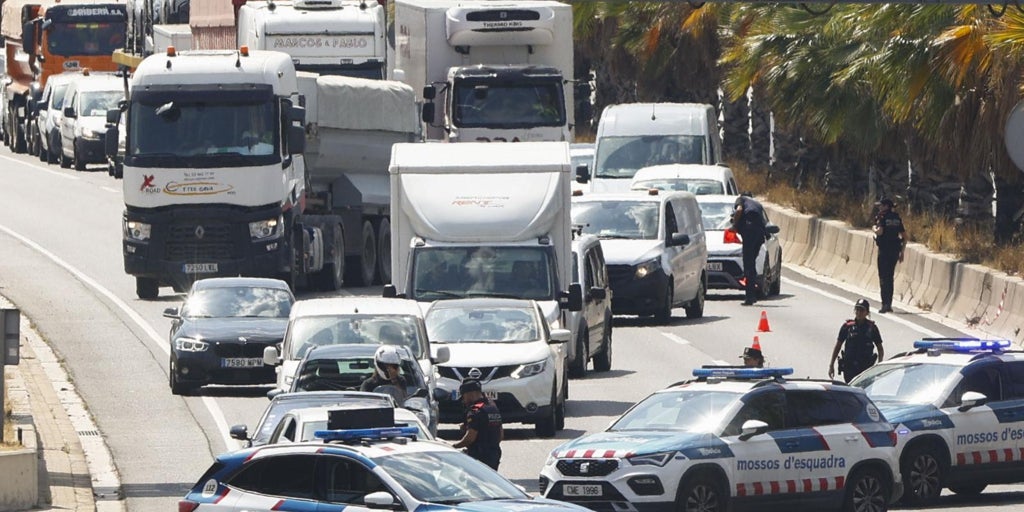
445 273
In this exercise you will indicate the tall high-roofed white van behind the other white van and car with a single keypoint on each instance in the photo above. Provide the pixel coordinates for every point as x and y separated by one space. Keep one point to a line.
631 137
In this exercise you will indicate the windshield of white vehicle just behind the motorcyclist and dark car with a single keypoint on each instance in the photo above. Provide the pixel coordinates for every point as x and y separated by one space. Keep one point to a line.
306 333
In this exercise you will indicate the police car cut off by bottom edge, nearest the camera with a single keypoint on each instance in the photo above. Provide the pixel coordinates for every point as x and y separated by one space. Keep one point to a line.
357 468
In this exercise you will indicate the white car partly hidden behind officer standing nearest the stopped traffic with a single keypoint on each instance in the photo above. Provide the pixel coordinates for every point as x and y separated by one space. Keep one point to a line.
726 249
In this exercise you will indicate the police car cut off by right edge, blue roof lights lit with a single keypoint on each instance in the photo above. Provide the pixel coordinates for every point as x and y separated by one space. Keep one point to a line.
959 410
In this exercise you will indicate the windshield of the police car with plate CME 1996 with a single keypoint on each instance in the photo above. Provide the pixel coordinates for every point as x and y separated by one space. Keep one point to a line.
685 411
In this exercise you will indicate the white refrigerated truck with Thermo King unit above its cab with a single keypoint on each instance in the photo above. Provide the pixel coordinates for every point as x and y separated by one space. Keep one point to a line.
496 71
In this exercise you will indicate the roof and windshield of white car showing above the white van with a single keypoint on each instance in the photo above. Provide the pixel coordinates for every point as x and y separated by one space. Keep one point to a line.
697 179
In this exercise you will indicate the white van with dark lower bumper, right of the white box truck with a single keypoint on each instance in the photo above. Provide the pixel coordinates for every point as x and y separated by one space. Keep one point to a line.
656 249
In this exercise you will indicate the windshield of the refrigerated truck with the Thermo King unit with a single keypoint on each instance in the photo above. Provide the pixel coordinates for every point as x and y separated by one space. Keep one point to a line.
497 106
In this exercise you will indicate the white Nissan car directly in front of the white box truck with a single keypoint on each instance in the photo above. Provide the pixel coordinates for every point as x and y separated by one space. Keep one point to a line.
505 345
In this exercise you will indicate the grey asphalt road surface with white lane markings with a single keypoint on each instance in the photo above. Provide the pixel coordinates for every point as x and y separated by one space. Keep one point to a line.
61 240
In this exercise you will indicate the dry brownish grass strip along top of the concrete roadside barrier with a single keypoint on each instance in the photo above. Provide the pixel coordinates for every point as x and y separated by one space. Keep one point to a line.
972 243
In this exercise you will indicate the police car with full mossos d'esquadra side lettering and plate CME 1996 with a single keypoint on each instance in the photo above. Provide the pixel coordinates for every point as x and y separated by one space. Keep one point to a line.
735 439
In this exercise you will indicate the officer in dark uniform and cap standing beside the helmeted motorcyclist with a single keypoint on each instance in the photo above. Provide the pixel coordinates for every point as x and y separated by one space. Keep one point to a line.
483 431
